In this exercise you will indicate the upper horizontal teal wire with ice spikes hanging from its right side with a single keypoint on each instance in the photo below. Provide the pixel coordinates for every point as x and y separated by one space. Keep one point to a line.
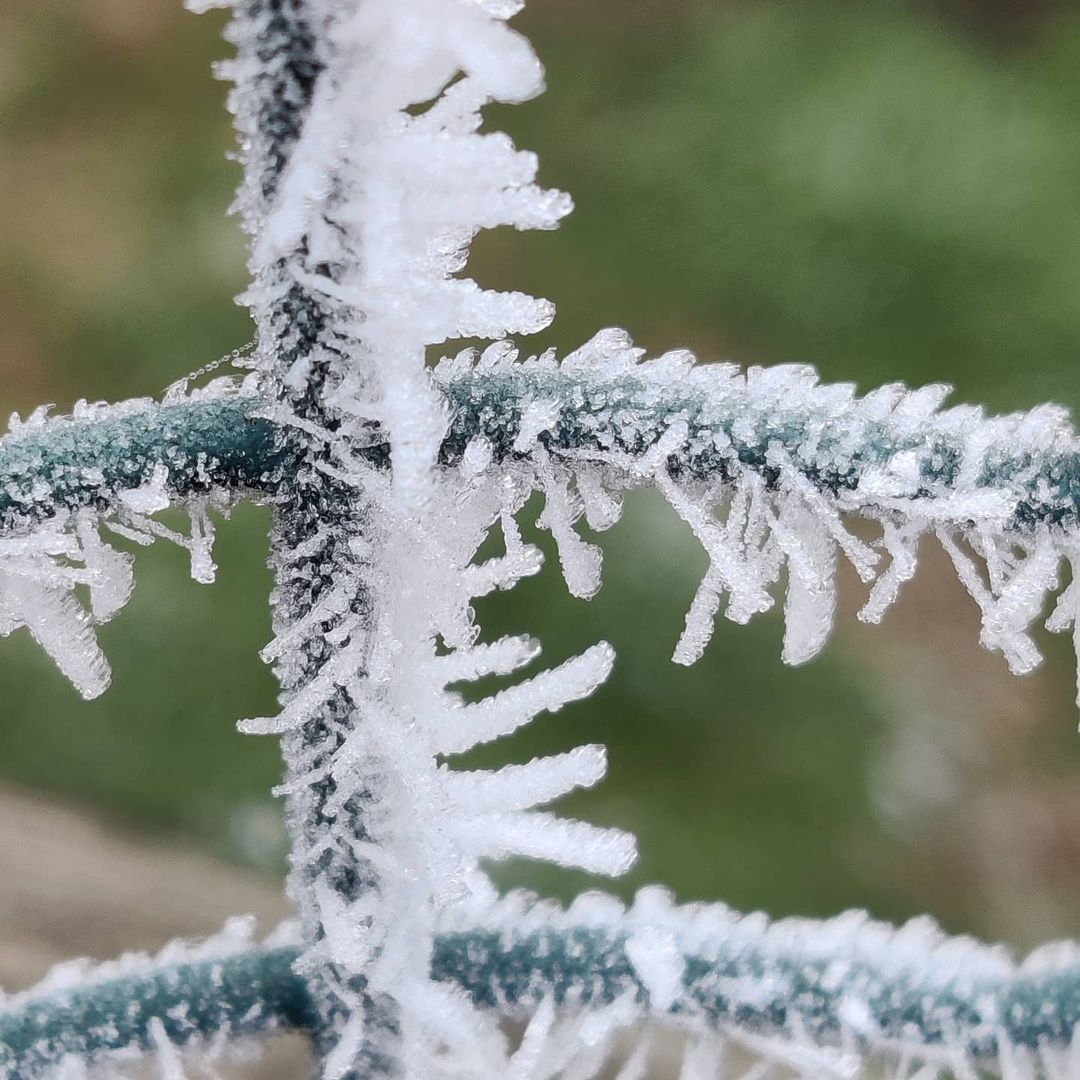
996 491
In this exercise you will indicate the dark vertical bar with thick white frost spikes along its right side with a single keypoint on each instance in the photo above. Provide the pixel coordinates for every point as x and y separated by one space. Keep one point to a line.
361 211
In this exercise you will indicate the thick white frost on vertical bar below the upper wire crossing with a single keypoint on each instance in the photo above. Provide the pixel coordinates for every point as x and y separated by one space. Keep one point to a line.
428 826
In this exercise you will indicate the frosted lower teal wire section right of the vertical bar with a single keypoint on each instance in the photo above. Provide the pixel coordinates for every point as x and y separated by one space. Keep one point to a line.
701 992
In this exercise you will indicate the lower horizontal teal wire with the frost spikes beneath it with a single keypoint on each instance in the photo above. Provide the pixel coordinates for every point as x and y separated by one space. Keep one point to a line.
678 990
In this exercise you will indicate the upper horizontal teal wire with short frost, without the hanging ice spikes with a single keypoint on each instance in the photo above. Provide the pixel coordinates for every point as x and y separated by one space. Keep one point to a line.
224 441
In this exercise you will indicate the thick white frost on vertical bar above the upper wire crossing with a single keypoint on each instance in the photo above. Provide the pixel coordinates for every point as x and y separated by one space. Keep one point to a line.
381 198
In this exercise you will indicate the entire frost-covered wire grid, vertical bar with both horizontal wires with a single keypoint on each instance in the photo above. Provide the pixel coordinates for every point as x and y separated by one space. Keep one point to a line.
367 177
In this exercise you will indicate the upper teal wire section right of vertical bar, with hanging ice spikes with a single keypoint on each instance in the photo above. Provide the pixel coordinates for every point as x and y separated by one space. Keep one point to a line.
769 467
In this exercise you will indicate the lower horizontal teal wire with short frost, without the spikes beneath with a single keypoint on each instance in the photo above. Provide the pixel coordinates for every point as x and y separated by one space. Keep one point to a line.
947 1002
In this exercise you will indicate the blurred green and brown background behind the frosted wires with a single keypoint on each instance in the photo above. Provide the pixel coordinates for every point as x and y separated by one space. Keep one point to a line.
888 191
